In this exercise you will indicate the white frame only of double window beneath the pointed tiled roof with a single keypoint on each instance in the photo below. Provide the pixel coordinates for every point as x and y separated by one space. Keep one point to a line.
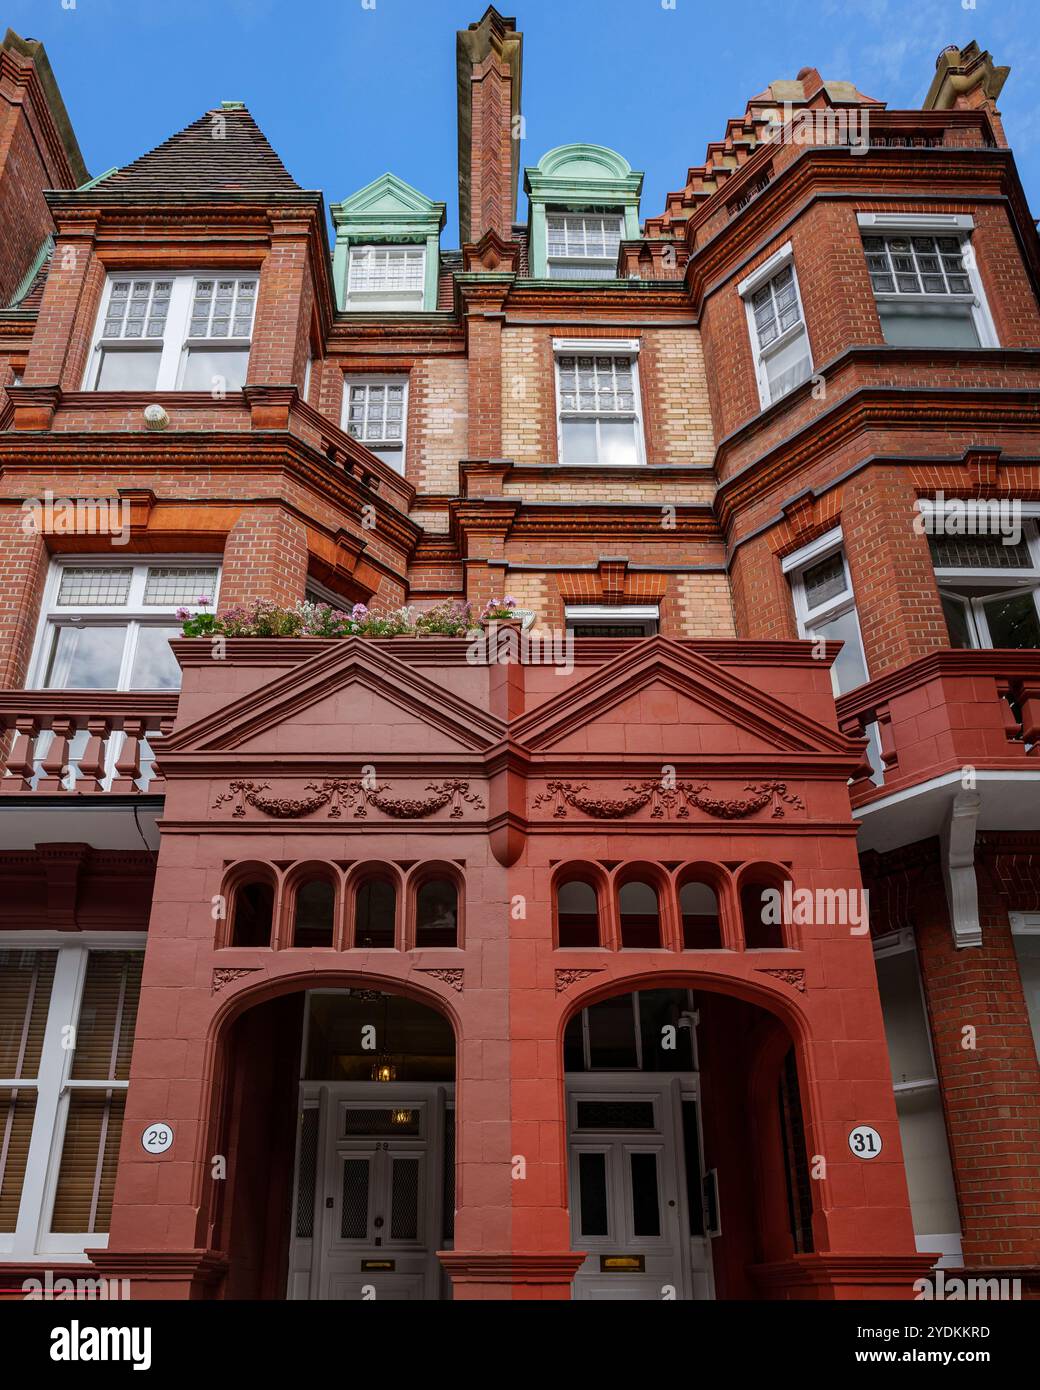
176 343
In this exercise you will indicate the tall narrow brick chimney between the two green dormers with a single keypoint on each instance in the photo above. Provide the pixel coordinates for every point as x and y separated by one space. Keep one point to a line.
490 62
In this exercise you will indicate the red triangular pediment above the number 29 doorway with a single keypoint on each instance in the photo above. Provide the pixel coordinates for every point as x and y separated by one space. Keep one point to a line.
351 701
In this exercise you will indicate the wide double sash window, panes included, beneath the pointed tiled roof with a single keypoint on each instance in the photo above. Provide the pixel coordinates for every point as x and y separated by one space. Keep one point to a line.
173 333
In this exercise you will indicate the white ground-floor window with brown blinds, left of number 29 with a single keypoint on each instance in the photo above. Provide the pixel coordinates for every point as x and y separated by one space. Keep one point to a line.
67 1018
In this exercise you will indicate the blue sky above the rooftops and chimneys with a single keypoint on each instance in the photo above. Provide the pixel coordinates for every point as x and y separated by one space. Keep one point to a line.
346 91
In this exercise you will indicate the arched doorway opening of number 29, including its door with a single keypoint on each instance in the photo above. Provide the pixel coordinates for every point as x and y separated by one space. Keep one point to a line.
355 1197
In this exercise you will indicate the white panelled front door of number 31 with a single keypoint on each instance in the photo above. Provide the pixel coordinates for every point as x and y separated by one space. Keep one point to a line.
636 1186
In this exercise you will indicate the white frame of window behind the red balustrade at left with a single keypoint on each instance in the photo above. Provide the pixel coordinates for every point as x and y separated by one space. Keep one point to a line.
134 614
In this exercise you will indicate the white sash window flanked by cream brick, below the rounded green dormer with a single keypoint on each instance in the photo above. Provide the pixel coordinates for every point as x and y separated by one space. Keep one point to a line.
599 401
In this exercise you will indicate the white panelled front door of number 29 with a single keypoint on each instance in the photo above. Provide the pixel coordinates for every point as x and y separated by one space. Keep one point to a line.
371 1192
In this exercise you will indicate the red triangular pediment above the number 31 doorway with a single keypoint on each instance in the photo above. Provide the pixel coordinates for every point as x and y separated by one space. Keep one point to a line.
664 698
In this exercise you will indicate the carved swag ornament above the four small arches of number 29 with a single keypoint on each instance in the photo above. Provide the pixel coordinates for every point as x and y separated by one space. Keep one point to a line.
351 797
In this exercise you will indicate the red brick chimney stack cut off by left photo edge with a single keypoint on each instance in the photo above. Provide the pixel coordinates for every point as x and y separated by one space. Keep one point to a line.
38 151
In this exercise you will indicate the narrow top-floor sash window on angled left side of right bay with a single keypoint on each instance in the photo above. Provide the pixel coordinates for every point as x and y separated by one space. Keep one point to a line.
777 326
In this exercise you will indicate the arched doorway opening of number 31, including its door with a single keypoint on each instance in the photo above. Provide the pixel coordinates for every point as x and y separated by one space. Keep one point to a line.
686 1146
